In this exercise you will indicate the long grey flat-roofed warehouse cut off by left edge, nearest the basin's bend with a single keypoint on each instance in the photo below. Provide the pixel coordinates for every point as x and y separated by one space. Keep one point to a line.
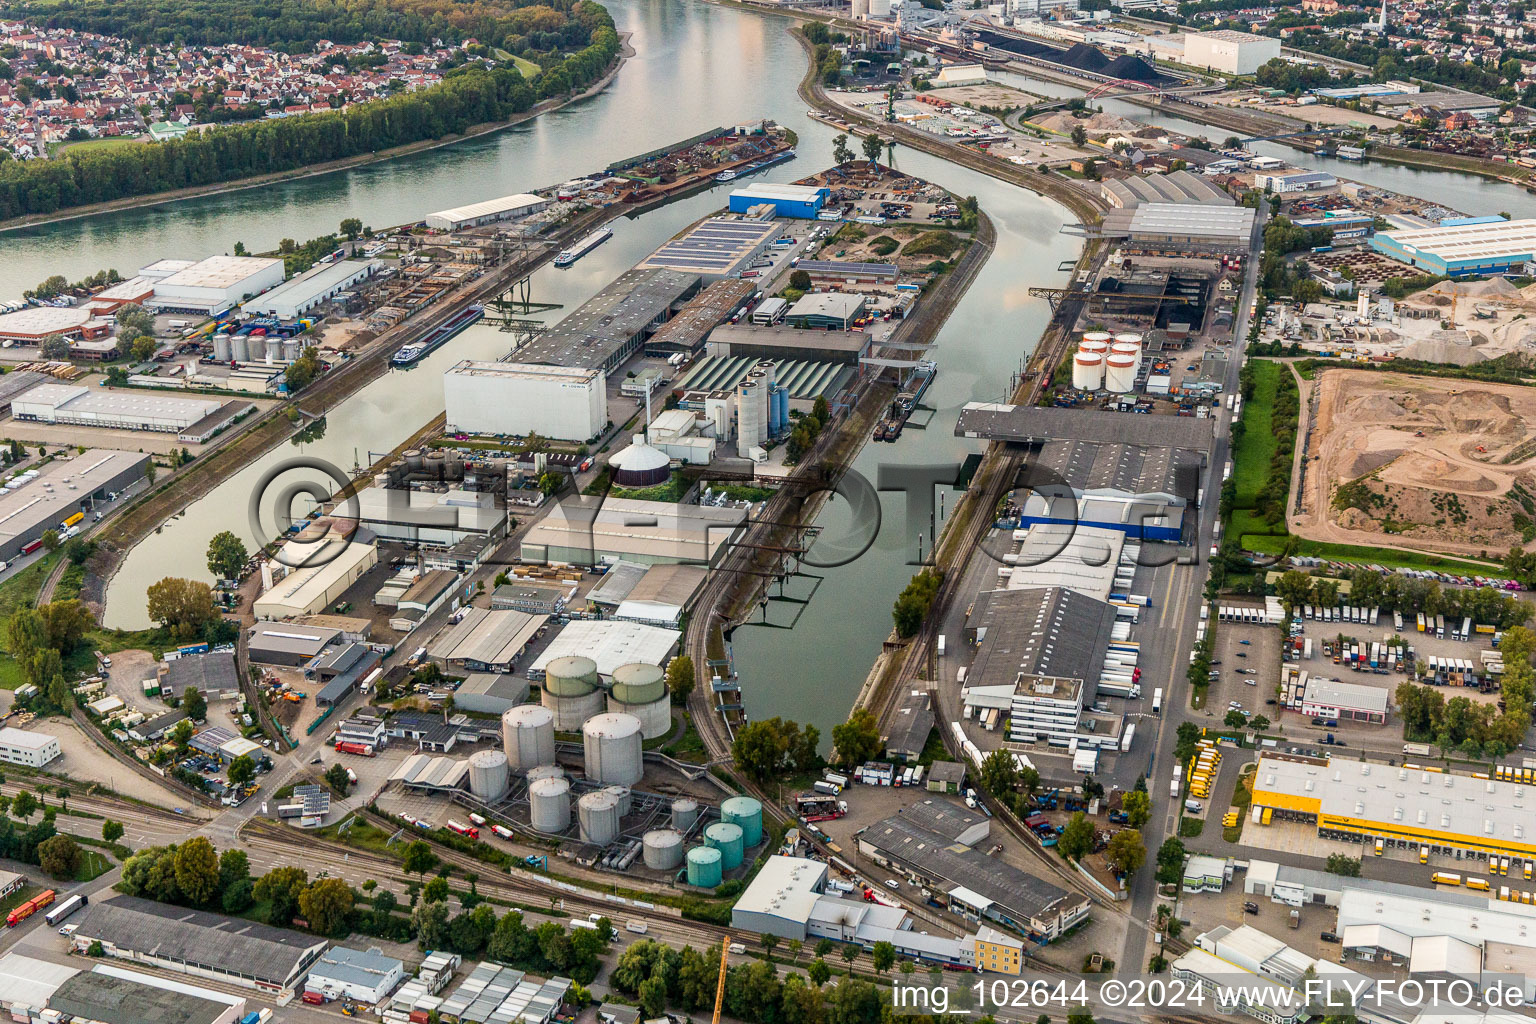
30 509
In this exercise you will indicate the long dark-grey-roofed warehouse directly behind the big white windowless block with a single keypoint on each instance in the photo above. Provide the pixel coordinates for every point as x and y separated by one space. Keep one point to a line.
607 329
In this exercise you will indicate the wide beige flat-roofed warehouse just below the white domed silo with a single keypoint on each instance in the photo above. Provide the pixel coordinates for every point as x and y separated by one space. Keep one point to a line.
632 530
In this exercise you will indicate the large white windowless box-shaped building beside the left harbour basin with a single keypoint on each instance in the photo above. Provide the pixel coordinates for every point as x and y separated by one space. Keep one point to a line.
518 398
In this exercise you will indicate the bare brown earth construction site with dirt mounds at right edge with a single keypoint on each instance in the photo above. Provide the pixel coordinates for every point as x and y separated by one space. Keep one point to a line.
1399 460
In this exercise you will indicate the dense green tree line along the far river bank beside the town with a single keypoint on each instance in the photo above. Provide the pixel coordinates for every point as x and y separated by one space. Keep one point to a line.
471 96
